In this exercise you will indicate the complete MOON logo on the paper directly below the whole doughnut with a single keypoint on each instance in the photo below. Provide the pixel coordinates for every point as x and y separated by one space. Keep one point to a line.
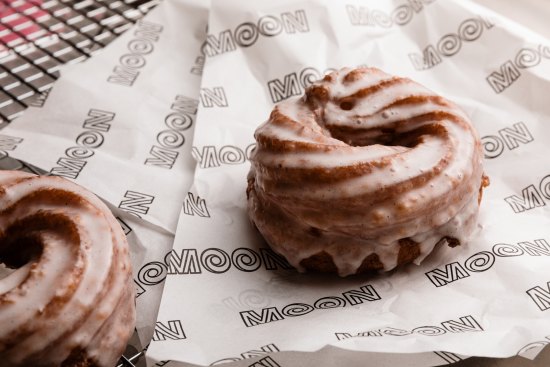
266 315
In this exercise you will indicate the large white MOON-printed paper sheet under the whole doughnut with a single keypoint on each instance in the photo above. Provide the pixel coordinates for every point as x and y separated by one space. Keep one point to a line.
228 298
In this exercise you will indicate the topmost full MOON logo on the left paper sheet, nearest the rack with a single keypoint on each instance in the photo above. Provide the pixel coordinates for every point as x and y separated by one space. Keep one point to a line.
127 71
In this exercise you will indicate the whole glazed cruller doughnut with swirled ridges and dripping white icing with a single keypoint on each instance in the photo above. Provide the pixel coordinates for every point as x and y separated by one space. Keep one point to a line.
367 171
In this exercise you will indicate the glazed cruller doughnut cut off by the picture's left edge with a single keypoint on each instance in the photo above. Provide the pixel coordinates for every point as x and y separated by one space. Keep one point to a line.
70 301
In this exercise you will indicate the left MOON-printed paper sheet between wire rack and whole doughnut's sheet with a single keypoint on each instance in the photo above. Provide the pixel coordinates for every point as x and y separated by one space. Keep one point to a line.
120 124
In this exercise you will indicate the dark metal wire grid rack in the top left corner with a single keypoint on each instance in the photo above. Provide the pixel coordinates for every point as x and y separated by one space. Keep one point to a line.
37 37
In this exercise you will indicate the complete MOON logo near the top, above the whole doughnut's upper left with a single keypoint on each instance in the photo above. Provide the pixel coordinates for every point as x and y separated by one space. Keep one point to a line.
247 34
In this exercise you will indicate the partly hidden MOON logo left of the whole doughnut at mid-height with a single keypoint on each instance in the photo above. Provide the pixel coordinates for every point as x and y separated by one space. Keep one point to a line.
210 156
